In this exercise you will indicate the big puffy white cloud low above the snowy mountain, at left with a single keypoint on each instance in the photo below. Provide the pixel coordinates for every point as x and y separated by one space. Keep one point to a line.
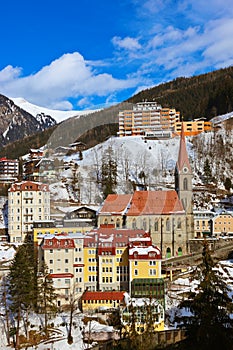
66 77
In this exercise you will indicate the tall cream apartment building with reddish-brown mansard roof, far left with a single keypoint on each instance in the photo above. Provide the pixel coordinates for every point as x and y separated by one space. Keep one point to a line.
27 202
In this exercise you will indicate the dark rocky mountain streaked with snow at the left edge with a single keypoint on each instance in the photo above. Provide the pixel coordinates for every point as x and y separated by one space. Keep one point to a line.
16 123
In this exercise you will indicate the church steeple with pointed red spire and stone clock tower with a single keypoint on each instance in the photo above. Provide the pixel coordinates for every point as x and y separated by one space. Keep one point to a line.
183 176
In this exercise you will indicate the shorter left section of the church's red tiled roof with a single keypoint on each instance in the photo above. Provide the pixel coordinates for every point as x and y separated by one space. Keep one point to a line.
116 203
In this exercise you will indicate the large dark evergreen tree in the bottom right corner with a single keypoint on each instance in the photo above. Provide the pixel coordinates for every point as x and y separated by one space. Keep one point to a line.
210 326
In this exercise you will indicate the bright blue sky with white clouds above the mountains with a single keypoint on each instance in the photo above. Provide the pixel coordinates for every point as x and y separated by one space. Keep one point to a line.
86 54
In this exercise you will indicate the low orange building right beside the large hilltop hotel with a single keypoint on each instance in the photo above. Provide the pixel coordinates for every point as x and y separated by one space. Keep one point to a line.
192 128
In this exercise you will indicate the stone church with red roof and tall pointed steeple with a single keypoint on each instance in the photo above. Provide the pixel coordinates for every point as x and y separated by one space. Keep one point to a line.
166 214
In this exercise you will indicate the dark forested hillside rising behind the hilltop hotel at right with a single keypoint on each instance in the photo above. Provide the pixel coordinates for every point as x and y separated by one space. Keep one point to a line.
206 95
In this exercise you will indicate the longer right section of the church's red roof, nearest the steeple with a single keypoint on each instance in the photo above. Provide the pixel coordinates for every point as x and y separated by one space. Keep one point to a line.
155 202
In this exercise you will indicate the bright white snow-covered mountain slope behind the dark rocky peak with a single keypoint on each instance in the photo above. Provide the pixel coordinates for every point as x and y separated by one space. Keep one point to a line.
56 114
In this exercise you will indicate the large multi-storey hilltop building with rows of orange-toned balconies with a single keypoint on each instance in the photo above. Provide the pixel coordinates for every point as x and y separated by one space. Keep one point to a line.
149 119
